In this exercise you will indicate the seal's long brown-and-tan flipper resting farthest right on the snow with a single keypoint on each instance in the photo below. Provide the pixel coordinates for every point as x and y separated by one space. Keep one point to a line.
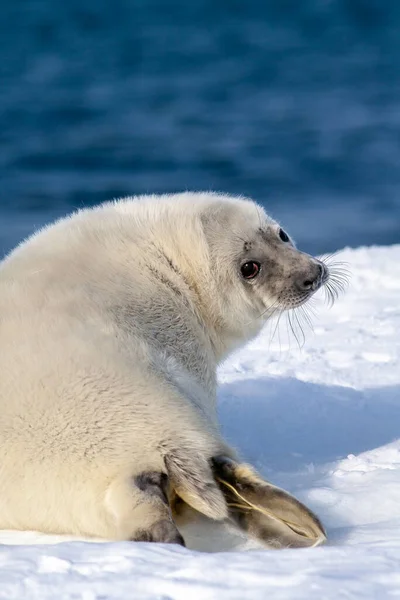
265 511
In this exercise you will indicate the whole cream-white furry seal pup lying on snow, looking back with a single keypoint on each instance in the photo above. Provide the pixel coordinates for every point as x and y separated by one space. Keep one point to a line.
112 324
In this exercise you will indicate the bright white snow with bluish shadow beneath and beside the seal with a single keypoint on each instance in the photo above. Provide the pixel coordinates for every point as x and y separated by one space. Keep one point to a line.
322 421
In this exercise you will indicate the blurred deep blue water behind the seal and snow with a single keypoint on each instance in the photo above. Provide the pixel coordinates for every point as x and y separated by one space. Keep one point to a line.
295 103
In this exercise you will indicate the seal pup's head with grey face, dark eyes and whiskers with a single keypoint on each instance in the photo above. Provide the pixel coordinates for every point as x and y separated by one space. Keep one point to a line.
254 263
